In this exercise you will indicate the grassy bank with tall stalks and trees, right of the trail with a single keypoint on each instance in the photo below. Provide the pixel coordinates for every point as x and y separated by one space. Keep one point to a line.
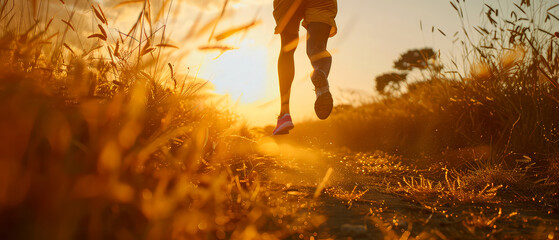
482 131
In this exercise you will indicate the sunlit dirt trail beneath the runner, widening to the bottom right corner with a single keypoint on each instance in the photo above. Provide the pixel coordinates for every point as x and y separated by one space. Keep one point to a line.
375 214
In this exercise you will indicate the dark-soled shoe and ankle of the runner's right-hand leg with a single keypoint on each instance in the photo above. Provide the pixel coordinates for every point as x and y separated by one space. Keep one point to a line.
324 102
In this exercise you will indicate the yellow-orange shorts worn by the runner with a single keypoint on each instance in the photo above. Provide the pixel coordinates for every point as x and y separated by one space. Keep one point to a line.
289 13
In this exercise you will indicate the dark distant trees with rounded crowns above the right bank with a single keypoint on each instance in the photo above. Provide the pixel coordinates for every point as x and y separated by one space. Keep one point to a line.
421 59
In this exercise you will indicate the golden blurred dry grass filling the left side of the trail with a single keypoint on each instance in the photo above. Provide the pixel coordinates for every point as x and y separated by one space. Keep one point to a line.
111 142
